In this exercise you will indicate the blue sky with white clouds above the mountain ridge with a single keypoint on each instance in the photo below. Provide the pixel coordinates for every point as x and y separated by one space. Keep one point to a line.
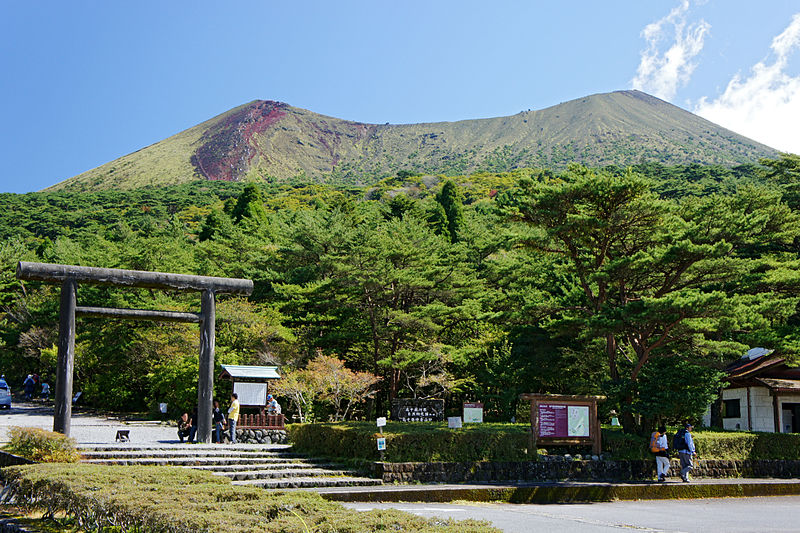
82 83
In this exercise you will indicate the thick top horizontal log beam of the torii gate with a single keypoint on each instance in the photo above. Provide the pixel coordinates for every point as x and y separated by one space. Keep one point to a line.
131 278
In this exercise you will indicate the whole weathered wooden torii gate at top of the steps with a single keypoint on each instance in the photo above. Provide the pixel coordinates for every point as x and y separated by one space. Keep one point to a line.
69 276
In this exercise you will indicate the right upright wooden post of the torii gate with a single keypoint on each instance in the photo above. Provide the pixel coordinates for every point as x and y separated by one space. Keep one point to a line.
205 383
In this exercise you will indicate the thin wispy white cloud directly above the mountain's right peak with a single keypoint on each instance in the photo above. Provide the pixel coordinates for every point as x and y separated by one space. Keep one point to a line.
662 73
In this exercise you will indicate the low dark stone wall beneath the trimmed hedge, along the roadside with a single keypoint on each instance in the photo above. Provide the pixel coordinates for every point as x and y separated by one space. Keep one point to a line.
573 470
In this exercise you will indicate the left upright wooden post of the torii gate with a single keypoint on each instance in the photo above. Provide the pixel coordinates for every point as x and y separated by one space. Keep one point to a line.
66 357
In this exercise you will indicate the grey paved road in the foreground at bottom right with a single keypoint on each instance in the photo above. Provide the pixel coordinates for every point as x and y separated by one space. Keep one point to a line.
730 515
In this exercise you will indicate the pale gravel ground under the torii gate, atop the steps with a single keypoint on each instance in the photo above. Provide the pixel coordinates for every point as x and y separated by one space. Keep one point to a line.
86 428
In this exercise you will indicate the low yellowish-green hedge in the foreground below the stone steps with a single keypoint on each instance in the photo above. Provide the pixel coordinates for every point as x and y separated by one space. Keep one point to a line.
175 500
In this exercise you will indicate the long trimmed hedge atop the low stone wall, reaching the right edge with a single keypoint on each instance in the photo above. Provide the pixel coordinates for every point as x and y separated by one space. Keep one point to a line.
435 442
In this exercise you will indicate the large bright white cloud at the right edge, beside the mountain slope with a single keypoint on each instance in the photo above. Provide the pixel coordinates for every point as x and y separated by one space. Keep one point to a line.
765 106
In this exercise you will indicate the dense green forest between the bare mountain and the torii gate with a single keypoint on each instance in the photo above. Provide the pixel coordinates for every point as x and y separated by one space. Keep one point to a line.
637 283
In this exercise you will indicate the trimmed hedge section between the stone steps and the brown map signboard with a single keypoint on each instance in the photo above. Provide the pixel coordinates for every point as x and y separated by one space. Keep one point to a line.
414 441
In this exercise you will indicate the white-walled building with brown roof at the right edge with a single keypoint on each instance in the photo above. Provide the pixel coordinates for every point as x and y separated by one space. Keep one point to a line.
762 394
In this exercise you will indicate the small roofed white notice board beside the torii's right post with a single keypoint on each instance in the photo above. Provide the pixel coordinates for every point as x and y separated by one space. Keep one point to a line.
251 384
